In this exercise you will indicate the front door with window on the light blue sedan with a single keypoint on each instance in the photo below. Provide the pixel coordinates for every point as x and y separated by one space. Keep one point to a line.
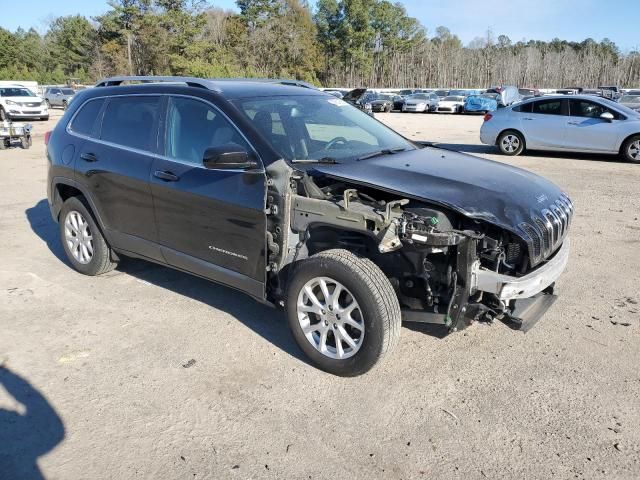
587 131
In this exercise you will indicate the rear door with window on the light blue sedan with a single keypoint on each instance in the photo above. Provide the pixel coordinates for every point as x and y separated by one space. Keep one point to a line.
546 125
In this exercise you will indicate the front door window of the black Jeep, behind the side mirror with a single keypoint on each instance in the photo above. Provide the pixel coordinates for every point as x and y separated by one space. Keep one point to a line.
193 126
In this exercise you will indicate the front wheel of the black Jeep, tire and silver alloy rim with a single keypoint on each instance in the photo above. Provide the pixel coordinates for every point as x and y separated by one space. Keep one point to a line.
343 312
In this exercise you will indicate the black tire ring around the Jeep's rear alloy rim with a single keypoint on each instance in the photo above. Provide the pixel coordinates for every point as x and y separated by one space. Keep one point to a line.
100 247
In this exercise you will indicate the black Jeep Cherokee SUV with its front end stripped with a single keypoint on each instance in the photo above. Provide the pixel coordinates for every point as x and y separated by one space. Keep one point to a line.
304 202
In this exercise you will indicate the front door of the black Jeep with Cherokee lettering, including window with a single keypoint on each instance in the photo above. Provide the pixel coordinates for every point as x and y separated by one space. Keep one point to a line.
210 222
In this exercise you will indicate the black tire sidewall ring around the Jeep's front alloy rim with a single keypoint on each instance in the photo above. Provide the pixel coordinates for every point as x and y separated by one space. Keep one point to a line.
370 351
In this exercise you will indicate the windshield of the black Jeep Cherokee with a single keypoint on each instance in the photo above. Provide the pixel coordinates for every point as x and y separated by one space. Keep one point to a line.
318 127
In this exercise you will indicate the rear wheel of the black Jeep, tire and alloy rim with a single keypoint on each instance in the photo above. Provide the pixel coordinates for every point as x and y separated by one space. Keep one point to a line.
83 242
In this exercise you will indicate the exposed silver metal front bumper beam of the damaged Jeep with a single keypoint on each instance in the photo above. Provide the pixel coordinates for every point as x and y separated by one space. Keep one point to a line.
508 288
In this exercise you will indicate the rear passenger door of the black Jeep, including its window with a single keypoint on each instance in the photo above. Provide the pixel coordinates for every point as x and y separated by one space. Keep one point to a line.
115 169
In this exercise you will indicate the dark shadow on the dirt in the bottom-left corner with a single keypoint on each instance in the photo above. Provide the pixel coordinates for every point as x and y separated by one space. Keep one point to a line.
26 436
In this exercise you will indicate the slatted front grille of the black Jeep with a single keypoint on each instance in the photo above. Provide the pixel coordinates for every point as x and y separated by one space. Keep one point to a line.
548 229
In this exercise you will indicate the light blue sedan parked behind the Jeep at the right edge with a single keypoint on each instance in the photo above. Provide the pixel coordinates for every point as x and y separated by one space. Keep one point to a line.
580 123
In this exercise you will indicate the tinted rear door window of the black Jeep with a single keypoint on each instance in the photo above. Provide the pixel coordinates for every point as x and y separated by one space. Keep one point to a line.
130 121
